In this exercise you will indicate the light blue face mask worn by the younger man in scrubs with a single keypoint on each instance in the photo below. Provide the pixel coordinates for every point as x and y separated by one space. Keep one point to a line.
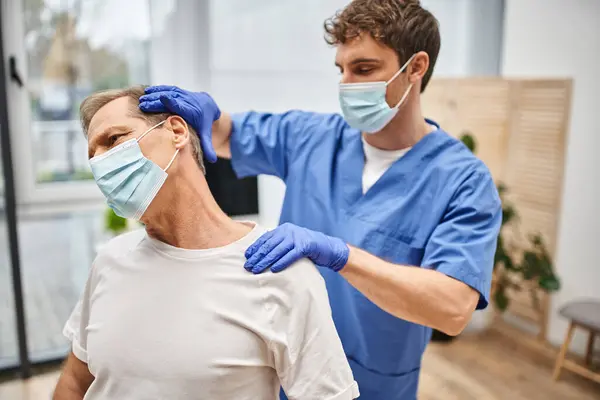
364 106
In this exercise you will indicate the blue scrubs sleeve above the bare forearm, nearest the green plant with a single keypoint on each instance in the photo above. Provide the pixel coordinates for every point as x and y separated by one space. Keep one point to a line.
463 245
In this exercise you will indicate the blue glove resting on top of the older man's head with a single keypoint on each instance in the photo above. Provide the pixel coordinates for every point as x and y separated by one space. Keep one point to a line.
197 109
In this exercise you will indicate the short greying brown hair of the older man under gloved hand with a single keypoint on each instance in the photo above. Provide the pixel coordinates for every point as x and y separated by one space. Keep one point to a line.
94 102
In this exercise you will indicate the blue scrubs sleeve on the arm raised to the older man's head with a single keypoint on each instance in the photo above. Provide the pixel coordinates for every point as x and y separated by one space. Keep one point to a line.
264 143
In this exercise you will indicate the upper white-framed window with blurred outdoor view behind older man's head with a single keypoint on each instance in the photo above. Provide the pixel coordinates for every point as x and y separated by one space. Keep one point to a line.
65 50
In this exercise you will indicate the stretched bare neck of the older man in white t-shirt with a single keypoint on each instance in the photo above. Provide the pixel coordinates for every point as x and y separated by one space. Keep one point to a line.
185 215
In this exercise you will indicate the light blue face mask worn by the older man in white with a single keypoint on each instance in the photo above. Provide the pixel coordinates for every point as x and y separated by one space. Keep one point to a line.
129 180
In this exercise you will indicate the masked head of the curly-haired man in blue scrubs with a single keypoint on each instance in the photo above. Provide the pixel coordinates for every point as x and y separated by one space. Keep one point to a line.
370 37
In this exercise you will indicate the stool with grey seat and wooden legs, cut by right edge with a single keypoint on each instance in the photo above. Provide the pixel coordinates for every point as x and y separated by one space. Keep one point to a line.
584 315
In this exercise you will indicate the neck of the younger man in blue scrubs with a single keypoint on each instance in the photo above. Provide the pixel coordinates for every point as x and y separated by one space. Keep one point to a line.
404 130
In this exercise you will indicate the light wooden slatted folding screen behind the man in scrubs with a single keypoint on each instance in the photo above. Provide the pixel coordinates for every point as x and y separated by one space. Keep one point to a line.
520 127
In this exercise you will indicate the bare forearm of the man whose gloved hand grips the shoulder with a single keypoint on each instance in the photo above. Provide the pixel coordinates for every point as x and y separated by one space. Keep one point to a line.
418 295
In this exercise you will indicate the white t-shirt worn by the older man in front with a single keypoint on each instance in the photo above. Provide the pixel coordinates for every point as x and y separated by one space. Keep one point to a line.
159 322
